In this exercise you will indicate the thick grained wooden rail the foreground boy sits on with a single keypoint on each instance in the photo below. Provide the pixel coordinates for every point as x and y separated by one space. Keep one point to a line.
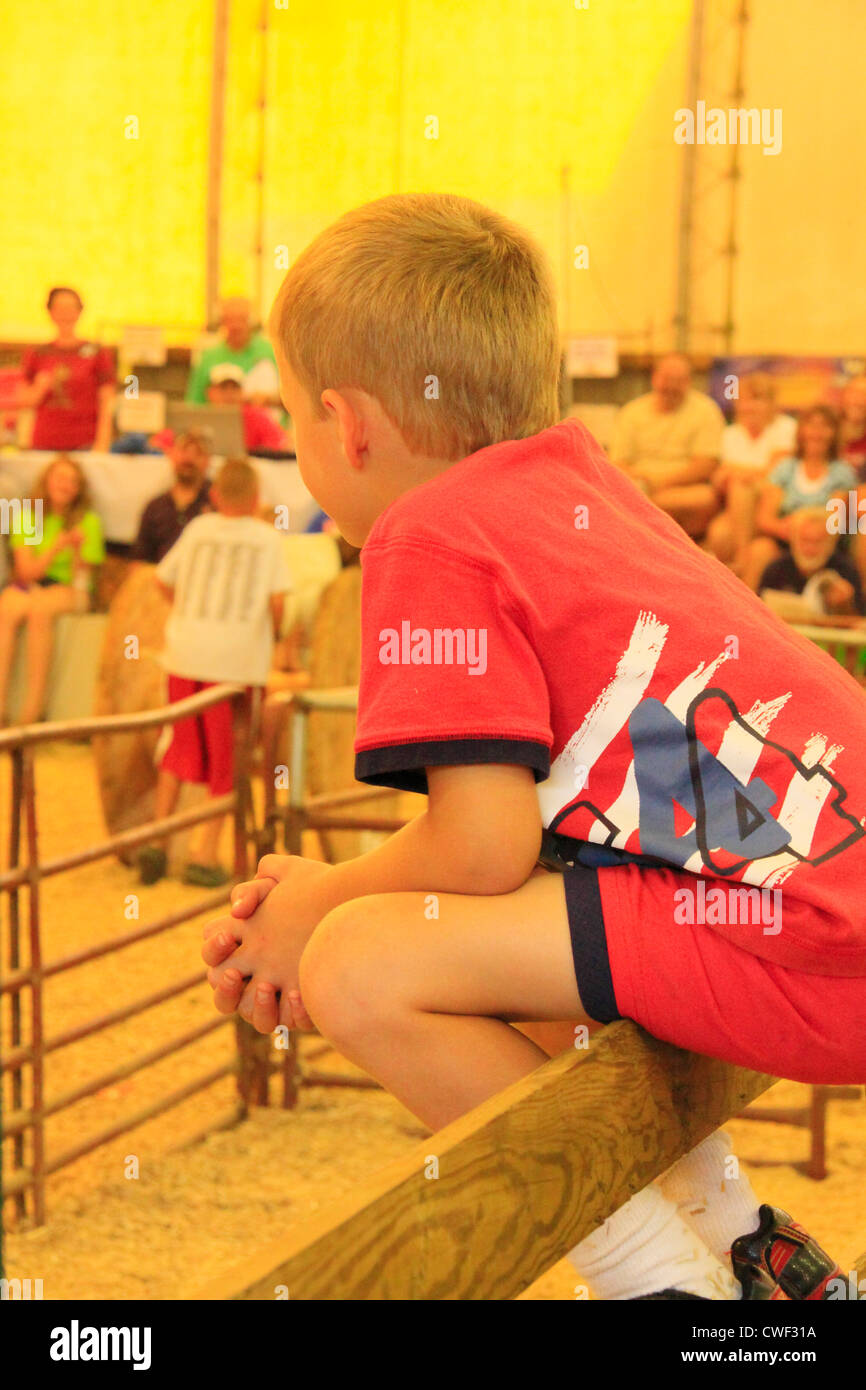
521 1181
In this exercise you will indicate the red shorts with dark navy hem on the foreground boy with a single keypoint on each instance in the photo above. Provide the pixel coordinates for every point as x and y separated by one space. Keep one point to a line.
693 988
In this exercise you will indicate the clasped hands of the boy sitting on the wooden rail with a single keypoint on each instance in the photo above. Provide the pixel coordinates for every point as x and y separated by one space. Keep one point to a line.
254 954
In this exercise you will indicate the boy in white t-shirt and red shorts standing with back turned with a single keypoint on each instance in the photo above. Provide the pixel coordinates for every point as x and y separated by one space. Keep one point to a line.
226 578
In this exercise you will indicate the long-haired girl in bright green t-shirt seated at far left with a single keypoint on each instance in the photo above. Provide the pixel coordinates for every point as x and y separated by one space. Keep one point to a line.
55 551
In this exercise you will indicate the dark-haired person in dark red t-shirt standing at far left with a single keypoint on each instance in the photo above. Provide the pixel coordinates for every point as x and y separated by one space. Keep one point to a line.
70 383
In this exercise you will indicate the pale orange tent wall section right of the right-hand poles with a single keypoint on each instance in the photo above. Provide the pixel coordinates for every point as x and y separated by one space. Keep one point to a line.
801 286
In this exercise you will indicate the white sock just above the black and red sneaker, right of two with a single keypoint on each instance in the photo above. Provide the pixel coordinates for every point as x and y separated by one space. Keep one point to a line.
712 1195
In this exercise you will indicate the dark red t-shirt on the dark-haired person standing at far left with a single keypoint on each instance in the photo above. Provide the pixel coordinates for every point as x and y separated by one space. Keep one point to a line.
67 416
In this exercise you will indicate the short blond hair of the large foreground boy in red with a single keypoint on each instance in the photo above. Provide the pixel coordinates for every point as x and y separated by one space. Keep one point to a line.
440 309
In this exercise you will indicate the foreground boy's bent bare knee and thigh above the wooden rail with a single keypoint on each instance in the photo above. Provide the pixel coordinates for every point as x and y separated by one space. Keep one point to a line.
425 1006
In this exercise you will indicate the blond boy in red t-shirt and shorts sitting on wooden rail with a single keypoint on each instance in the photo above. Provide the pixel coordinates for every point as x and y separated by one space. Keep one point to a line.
578 689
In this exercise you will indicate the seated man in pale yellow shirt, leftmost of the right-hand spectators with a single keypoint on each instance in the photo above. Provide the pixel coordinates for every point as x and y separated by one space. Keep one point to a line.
669 443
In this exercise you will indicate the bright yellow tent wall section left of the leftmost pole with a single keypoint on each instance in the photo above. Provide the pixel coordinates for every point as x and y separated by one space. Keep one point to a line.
119 219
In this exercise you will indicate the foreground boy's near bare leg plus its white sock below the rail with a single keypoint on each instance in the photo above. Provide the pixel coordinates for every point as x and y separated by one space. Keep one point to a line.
423 1004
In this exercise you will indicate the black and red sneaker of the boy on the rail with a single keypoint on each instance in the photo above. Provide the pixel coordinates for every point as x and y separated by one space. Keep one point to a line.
781 1260
